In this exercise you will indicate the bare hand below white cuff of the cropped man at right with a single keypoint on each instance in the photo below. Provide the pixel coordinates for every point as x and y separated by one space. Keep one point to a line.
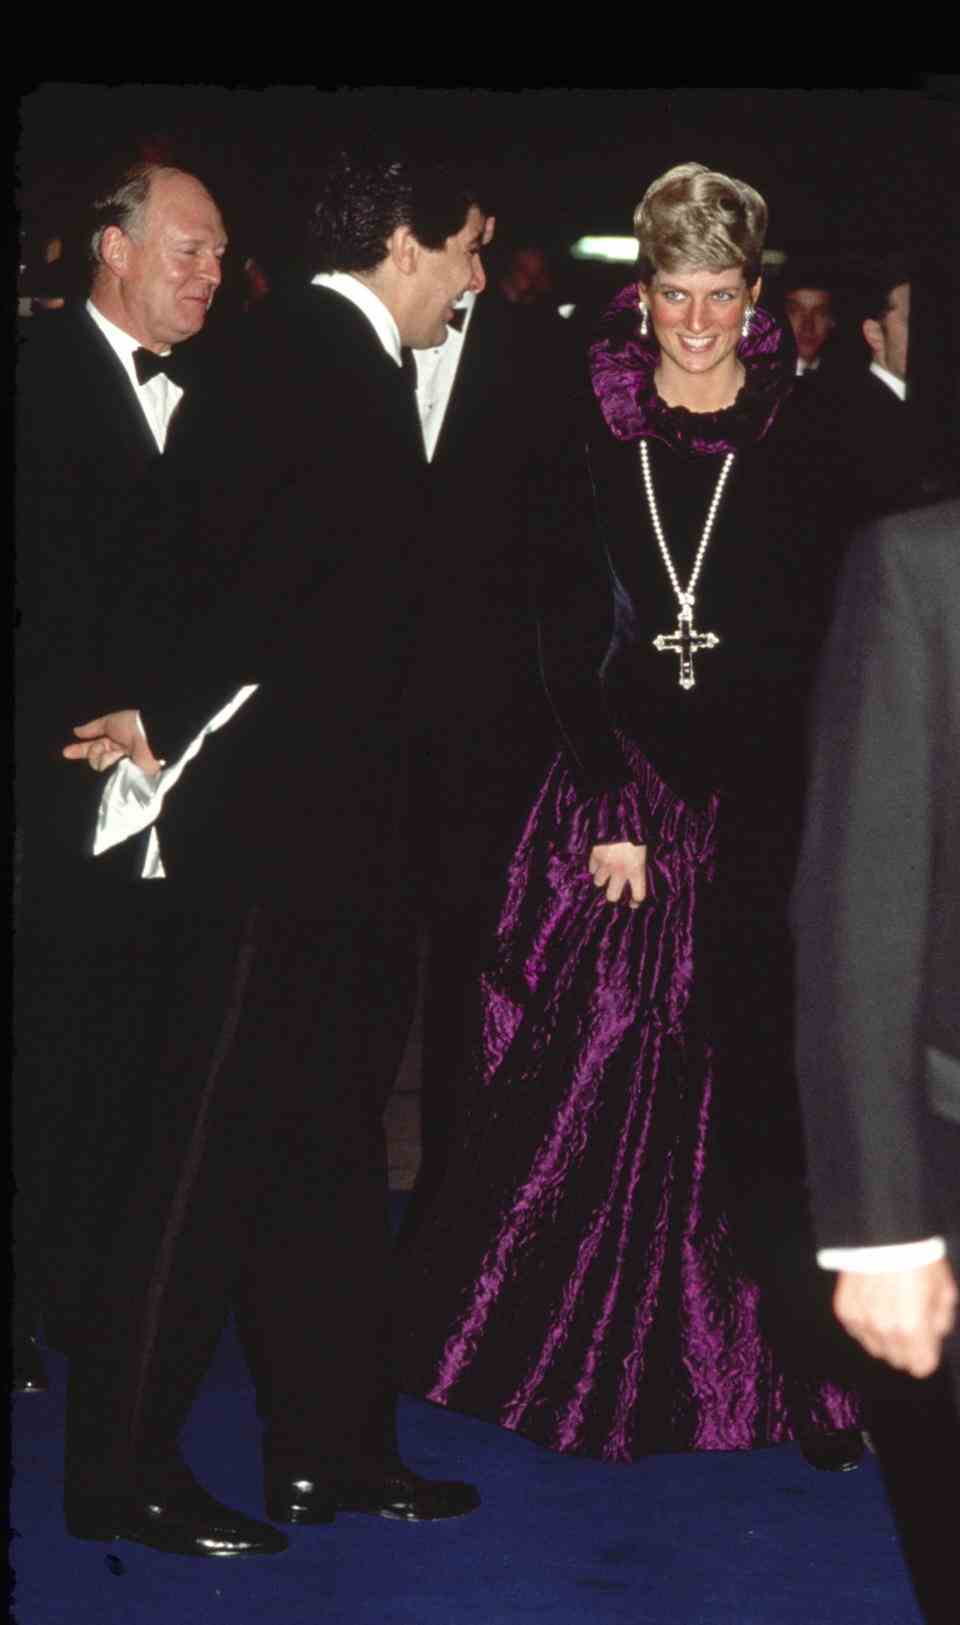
901 1317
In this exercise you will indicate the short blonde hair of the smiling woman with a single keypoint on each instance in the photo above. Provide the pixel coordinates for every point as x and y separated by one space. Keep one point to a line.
698 219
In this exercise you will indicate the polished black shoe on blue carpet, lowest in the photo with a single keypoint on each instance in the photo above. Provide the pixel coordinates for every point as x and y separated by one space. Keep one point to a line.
188 1522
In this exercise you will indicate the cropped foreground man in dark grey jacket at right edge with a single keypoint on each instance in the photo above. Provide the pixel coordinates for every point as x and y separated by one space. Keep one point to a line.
880 1007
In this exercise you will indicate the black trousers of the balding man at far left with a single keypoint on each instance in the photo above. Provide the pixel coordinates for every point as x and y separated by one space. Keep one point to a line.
80 1023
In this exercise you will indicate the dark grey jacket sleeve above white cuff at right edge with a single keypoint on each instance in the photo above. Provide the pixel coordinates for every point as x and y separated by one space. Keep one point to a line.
862 908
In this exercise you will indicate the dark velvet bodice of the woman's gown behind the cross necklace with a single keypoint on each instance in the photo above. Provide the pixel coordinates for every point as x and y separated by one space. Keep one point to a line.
761 592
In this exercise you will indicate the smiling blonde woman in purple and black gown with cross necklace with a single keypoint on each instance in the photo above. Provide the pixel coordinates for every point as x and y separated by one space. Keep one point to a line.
618 1260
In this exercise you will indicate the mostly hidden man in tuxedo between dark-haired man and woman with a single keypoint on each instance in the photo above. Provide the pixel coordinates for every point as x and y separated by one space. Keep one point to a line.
490 402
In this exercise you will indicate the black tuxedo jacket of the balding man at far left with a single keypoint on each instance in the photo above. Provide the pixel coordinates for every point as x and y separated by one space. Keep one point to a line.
87 470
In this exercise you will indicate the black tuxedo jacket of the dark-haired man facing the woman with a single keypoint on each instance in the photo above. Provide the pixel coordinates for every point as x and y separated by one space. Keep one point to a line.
305 573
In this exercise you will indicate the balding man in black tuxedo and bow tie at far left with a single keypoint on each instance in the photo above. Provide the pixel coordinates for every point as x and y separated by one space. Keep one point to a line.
97 440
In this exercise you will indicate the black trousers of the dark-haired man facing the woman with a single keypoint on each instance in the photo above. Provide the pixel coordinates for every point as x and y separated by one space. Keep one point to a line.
264 1187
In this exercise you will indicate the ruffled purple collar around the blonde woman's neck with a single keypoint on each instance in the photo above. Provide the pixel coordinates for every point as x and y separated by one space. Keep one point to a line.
623 366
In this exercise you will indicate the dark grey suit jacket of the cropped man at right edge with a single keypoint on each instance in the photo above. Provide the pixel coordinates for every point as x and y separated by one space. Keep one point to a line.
878 896
